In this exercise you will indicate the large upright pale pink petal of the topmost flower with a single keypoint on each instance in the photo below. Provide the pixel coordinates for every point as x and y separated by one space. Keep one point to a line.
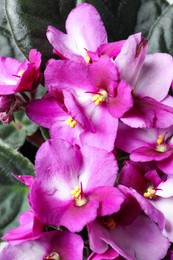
86 27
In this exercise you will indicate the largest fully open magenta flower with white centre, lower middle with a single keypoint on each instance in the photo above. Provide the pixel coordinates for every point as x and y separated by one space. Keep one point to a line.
74 185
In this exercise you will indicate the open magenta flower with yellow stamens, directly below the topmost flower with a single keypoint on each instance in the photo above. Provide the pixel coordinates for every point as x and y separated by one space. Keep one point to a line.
97 92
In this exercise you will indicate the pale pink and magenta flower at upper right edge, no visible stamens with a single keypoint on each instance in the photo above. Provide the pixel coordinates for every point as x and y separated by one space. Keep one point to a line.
151 77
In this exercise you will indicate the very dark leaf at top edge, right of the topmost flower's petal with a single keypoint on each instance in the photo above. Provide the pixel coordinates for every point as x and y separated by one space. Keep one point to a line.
119 16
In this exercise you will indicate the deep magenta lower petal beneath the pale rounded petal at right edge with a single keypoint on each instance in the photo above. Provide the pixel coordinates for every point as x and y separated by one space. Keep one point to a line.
148 113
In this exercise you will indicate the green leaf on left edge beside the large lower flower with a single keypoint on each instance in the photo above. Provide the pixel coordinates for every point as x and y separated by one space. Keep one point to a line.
12 192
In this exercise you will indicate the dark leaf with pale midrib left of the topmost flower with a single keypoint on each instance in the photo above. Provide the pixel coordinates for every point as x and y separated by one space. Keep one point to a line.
29 20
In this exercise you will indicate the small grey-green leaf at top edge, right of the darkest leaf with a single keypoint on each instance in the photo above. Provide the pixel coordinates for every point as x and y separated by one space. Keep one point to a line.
148 13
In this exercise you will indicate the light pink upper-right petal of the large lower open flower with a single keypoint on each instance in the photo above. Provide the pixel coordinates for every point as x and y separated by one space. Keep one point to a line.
99 168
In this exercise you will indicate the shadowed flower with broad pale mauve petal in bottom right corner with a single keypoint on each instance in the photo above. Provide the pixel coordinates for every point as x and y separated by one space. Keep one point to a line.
129 232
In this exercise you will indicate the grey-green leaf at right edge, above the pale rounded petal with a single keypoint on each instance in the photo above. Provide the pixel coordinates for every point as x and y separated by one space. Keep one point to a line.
161 34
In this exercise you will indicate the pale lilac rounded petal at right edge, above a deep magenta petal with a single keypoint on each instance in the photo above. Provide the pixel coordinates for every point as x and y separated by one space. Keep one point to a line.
155 77
